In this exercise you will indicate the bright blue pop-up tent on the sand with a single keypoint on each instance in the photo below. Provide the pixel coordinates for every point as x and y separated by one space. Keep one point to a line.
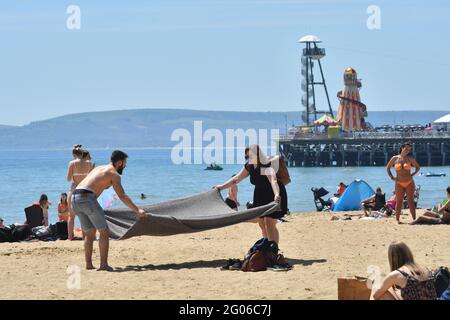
356 192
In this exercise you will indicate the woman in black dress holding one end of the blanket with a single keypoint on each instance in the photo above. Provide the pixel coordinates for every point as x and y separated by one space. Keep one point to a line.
262 172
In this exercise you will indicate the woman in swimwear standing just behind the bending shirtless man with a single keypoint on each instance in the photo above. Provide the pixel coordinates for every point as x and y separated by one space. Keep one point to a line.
78 169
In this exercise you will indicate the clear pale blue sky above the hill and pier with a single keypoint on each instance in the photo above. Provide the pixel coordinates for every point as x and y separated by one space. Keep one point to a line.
239 55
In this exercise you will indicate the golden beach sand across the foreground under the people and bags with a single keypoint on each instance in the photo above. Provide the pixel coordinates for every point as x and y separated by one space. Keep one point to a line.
187 266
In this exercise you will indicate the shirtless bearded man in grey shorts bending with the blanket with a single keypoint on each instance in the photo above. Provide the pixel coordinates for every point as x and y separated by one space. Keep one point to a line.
89 211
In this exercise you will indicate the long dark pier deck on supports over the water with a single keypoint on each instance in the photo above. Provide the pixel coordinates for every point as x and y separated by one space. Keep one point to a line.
364 149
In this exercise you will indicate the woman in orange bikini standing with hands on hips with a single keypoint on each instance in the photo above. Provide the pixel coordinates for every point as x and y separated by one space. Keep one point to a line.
404 182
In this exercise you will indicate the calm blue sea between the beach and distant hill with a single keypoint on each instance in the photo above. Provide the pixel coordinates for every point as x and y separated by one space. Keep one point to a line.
25 175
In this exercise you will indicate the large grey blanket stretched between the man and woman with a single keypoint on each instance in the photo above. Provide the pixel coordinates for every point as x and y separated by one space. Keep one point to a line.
196 213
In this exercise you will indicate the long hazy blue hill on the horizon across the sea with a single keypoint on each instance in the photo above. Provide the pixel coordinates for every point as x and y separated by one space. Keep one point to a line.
153 127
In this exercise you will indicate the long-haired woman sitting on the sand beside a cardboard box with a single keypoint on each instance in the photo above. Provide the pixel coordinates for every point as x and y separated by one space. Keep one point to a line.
414 281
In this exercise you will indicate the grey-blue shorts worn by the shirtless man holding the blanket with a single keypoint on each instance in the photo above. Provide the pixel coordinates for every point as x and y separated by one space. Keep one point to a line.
89 211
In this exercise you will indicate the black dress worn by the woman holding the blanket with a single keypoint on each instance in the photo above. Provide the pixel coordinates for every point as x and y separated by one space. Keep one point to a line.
263 193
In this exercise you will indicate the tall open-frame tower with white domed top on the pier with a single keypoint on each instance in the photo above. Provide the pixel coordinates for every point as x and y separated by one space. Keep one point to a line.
312 53
